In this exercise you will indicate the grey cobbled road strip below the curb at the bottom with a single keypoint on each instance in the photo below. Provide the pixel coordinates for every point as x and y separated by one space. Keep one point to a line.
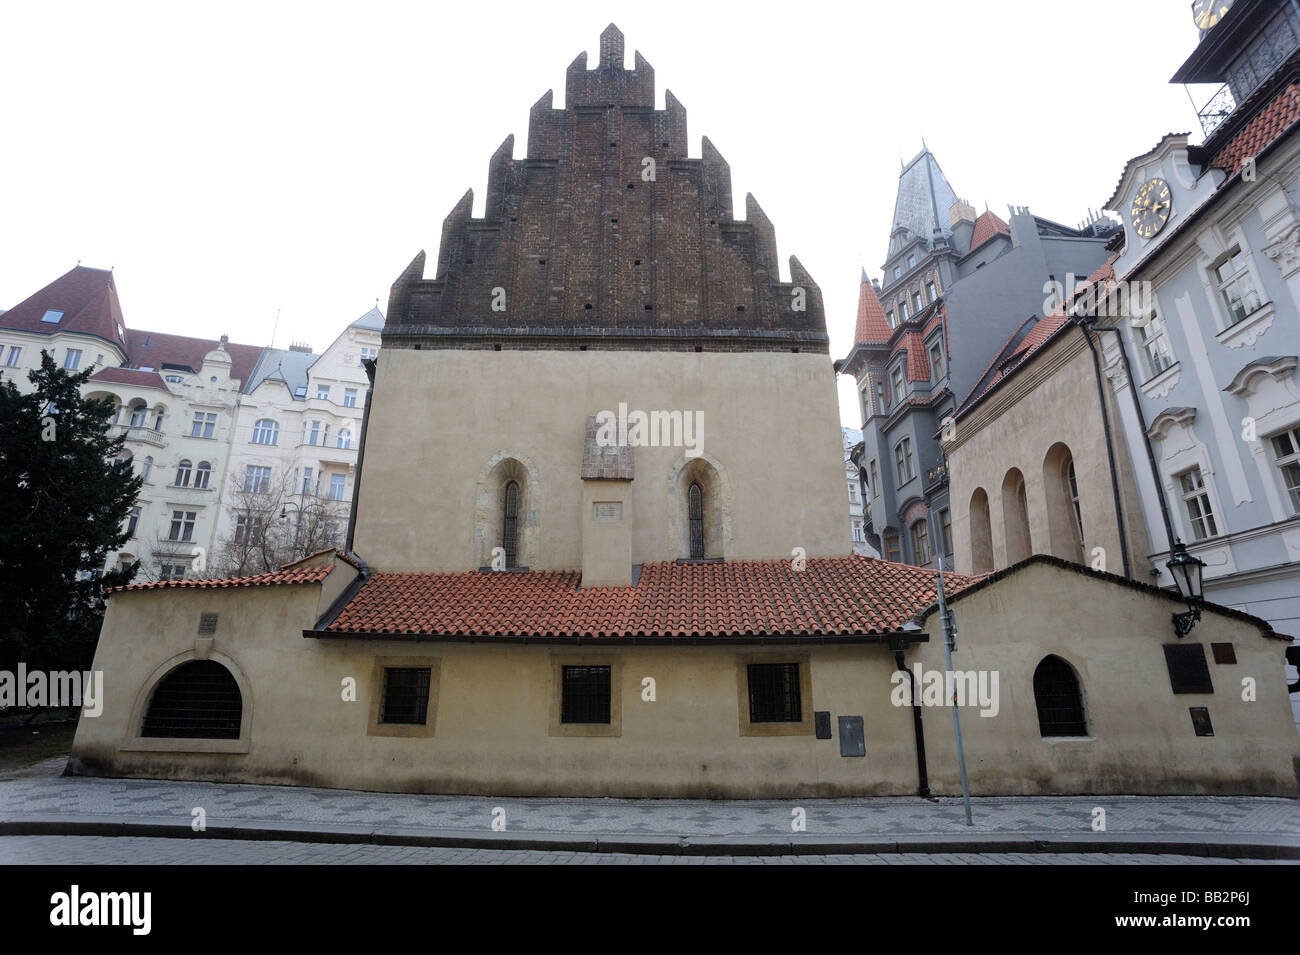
73 850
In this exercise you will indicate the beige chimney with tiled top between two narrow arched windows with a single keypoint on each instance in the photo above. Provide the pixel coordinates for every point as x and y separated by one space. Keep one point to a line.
606 514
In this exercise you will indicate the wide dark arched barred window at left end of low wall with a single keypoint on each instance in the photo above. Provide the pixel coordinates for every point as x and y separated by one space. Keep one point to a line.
197 701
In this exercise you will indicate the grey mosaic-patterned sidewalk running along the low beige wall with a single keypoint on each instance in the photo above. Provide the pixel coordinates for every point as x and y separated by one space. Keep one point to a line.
127 801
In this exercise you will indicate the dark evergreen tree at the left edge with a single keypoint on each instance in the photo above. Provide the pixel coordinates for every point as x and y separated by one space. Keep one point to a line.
66 500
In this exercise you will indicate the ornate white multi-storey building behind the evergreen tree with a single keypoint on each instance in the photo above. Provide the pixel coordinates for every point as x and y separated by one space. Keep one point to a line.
189 409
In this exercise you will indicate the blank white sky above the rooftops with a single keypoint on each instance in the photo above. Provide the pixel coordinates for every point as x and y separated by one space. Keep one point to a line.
244 159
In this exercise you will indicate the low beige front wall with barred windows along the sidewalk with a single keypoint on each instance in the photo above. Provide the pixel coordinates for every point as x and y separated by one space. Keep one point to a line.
495 706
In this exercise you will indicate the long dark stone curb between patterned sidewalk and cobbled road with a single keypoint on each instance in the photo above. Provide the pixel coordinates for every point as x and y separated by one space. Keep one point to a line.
1221 845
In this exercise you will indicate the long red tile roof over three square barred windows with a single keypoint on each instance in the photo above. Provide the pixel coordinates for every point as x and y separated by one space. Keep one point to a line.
833 596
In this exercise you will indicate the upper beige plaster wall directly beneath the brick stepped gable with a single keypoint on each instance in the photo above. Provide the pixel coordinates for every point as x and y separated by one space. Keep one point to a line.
443 420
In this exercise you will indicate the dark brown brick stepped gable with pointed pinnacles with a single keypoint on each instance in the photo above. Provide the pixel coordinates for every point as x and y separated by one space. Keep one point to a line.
591 255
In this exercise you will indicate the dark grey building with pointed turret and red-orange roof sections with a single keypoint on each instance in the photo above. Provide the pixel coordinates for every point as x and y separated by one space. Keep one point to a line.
956 286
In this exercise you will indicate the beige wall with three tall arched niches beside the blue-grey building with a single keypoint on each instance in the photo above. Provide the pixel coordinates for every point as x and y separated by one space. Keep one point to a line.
1050 401
